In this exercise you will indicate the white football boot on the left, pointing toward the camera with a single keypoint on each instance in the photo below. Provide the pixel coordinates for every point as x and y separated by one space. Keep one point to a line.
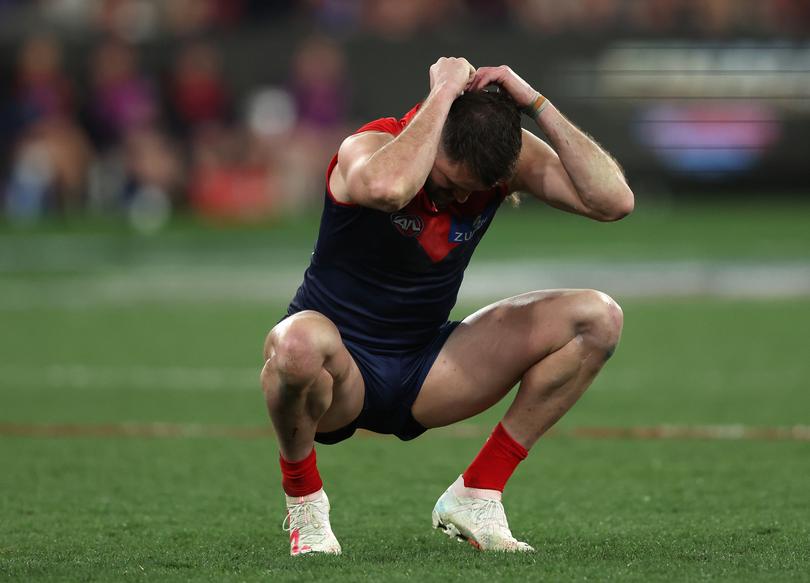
308 524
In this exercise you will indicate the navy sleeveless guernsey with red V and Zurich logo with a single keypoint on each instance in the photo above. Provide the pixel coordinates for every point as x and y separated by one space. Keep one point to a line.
389 280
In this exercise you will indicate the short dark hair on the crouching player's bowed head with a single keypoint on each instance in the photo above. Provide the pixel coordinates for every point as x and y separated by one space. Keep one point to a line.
483 131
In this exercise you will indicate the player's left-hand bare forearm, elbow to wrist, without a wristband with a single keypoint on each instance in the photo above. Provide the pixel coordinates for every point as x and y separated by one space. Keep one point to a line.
404 163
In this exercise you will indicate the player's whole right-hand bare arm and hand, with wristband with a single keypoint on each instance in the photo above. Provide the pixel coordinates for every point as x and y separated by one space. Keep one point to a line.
577 175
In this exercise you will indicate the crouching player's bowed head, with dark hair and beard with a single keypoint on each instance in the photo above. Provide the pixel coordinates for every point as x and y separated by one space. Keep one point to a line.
479 148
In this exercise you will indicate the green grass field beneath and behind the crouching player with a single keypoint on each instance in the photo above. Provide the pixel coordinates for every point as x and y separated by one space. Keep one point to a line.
134 442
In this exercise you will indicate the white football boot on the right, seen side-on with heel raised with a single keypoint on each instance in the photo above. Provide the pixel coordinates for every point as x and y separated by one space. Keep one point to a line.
476 516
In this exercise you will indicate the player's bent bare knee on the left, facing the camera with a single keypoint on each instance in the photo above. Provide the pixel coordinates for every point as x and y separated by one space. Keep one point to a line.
296 348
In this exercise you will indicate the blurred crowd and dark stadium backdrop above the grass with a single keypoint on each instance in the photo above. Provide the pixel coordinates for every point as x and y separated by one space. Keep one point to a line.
230 109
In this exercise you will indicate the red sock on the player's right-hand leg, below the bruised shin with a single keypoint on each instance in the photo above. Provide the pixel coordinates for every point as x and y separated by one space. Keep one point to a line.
495 462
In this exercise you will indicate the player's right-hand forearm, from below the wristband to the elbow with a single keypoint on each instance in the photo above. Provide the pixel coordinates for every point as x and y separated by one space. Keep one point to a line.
597 177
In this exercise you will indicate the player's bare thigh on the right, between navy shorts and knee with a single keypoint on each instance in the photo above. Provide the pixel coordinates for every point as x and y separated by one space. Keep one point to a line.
491 350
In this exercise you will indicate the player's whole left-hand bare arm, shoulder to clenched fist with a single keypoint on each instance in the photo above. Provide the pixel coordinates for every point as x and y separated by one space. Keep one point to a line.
379 171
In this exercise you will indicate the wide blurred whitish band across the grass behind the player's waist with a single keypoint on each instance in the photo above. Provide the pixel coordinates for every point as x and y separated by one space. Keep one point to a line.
484 281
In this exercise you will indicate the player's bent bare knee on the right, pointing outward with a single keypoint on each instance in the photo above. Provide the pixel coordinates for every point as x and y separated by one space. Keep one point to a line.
598 318
